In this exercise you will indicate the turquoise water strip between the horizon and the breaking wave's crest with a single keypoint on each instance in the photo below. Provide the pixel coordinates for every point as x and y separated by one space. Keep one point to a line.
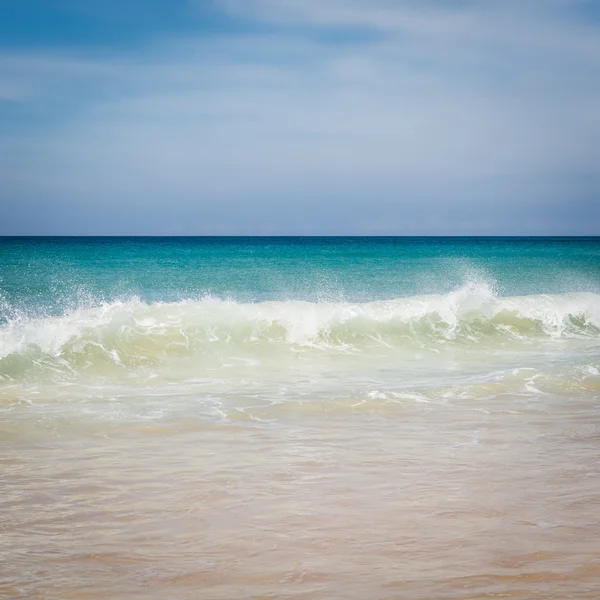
52 275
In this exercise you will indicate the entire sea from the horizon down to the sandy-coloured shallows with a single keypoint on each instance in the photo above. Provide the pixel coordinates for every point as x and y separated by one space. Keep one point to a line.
313 417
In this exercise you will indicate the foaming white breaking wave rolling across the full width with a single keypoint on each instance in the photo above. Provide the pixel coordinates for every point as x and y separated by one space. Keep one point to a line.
130 334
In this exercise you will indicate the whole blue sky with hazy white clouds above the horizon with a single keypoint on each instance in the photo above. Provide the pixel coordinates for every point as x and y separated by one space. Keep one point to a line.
300 117
